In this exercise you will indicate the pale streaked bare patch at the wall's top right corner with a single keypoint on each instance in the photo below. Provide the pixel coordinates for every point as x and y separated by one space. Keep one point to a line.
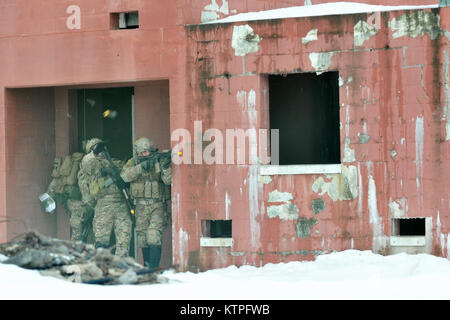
415 23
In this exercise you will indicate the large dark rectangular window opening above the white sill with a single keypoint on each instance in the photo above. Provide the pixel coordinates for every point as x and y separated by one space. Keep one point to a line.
304 107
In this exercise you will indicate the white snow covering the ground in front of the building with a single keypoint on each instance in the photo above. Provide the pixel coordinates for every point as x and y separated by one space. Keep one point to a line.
350 274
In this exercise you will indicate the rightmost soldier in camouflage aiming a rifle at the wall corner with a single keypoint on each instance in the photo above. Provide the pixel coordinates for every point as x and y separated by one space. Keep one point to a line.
149 187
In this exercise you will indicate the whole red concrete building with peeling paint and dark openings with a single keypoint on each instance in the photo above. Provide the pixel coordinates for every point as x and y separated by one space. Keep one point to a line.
360 100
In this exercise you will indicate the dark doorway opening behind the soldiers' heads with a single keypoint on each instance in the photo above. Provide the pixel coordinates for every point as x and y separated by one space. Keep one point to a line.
107 114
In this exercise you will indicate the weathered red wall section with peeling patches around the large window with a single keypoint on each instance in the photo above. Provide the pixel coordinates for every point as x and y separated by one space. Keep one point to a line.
394 145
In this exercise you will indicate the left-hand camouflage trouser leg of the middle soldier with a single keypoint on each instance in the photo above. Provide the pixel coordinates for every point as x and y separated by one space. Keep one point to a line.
103 223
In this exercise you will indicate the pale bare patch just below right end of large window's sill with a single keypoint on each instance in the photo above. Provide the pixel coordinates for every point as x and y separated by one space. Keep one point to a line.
342 186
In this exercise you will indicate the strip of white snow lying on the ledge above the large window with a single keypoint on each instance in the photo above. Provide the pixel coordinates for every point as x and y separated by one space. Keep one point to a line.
333 8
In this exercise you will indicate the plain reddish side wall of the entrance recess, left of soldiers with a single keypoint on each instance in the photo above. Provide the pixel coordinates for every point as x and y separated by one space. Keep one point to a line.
30 150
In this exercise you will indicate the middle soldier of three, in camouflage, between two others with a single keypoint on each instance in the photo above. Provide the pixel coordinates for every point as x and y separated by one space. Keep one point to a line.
99 190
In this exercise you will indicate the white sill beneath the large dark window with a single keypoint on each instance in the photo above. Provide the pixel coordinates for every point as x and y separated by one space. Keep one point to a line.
269 170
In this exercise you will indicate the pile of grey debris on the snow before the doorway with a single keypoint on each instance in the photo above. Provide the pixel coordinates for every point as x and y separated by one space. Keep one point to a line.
75 261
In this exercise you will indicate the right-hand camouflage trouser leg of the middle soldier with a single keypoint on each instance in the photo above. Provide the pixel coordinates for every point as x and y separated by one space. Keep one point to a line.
122 229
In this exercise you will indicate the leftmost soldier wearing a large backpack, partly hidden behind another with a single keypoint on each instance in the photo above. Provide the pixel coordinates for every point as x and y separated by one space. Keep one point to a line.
64 187
